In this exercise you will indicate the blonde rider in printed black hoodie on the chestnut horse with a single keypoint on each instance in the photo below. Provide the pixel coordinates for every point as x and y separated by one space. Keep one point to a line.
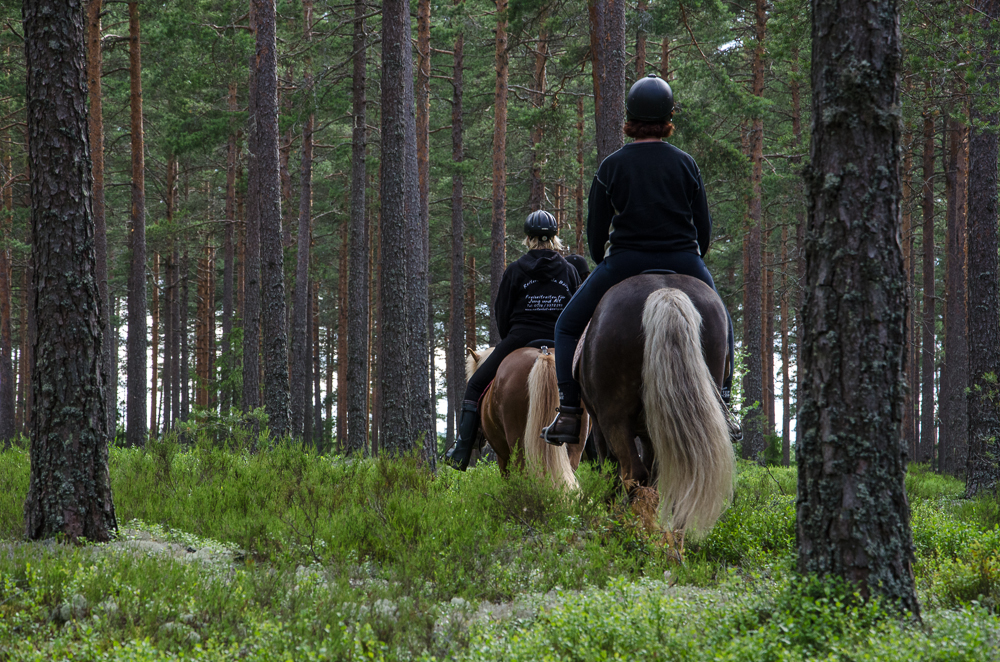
533 292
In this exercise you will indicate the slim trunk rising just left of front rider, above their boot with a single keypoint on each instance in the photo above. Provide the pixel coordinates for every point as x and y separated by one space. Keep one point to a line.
456 333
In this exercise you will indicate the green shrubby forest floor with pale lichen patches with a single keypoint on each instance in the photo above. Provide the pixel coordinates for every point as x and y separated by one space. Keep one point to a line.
286 555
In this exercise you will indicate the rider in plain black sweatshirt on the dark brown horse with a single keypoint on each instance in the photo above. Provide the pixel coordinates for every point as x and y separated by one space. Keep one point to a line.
647 210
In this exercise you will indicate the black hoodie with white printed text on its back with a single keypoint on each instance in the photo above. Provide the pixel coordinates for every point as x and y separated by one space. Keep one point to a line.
533 292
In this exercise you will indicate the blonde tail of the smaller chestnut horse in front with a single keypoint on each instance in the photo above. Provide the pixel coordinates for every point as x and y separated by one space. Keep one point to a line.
540 457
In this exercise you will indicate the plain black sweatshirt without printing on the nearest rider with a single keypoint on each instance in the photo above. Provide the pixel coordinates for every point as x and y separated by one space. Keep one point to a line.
648 197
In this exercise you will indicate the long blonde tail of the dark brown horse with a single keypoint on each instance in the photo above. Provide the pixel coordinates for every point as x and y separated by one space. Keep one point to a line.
683 416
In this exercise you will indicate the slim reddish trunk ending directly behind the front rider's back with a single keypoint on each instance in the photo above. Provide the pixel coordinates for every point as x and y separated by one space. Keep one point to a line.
498 232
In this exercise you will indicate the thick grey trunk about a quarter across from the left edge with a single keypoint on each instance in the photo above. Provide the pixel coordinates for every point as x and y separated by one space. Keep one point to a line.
272 276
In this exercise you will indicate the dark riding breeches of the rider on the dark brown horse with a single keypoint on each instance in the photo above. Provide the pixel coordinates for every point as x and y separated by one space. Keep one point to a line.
614 269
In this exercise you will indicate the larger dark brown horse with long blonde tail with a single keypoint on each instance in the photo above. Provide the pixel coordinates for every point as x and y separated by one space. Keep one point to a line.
650 366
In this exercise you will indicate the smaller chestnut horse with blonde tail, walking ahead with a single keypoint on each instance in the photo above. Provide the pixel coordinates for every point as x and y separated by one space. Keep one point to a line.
517 406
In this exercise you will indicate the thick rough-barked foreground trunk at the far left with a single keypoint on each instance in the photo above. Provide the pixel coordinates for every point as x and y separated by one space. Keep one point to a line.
70 490
